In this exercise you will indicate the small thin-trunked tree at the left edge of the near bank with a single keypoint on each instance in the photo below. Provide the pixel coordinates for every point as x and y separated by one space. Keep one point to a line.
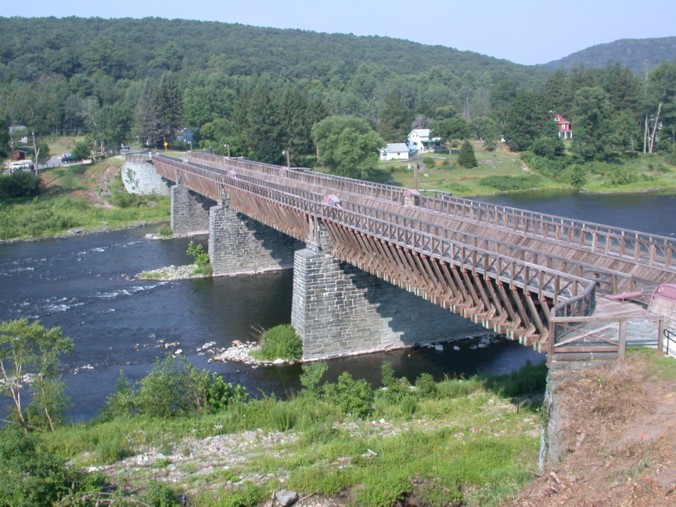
30 353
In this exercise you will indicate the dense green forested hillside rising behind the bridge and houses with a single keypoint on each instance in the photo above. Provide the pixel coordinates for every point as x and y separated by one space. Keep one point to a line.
268 94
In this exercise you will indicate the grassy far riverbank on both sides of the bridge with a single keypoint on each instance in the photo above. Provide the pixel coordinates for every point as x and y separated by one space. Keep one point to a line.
89 199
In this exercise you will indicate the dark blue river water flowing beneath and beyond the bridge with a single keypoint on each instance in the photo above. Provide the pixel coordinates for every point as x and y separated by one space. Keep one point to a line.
88 286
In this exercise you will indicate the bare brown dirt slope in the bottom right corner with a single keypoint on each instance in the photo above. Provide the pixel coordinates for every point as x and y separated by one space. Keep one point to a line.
620 435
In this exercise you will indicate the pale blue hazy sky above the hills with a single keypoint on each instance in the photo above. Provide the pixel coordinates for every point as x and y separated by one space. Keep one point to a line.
522 31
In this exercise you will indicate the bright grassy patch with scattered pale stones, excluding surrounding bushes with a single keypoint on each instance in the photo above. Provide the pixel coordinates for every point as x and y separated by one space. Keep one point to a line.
455 442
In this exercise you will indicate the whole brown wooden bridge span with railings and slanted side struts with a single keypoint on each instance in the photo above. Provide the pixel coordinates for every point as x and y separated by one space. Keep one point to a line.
457 253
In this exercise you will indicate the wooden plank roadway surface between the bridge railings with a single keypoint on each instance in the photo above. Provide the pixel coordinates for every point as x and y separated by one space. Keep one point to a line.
614 273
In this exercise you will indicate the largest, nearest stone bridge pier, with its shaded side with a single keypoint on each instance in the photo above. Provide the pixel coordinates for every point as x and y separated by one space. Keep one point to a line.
339 310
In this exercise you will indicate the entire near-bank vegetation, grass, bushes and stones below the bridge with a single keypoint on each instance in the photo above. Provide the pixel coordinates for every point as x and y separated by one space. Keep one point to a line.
181 436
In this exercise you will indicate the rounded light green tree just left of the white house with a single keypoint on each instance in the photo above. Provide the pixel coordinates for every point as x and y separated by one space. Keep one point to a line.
347 145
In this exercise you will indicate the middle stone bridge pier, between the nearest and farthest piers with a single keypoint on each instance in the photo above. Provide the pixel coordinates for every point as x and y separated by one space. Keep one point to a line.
239 244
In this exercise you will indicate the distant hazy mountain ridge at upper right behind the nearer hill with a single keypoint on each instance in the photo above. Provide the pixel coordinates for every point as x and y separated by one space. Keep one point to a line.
640 55
